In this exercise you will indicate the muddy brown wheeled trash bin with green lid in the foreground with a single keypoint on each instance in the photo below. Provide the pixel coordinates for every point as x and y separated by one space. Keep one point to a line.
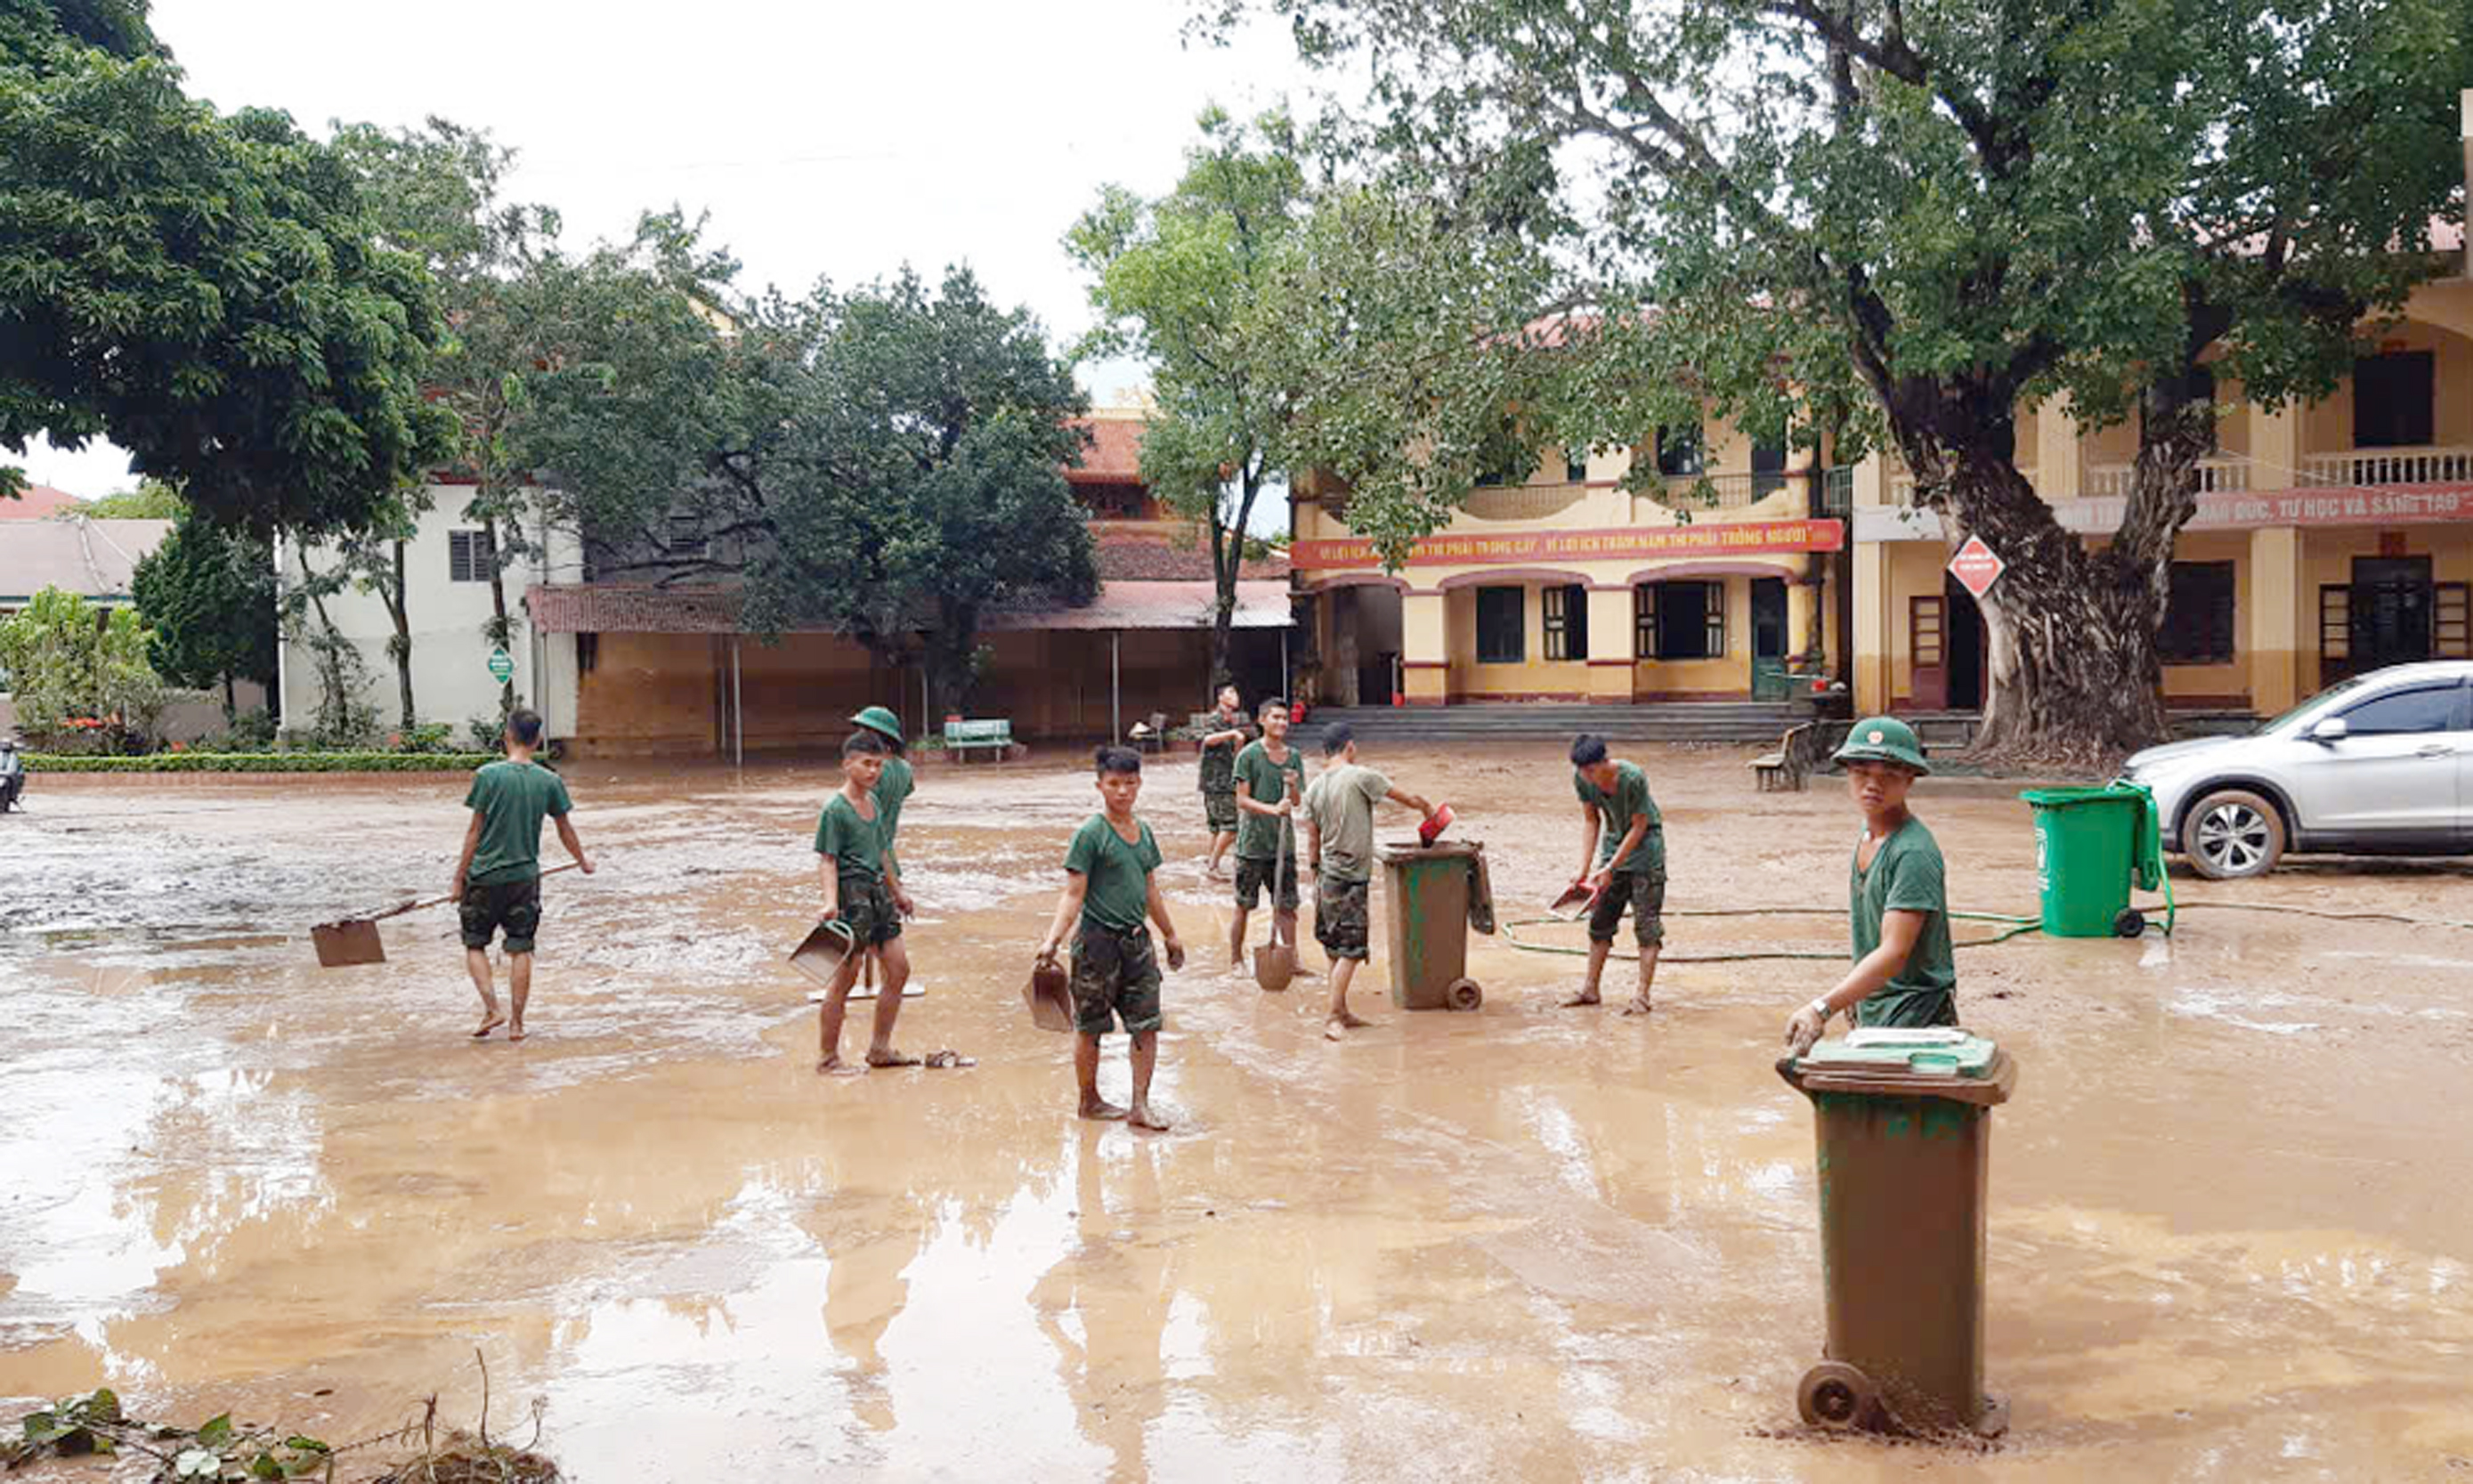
1903 1124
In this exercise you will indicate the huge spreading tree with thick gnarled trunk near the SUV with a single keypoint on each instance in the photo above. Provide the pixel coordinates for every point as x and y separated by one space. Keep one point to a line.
1935 214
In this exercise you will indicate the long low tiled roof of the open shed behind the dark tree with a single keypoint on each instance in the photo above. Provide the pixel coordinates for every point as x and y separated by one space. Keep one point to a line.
1122 605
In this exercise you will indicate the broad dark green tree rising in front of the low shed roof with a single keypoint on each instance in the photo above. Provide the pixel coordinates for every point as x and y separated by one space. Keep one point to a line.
884 464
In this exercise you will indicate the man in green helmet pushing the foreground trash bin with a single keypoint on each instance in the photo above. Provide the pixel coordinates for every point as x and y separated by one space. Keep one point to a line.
1898 899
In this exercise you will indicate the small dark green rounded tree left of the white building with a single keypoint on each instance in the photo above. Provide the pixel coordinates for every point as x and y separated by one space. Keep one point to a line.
209 595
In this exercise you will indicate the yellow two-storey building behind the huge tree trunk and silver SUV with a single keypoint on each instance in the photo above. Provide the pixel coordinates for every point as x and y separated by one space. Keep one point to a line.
2331 538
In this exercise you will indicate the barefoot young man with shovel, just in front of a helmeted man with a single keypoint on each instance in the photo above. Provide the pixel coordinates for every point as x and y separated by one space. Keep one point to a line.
852 872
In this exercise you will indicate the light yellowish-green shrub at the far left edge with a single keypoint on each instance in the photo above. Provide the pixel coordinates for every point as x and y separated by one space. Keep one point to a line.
68 659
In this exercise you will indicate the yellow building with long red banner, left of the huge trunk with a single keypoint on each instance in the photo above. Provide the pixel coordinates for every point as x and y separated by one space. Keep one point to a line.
1569 587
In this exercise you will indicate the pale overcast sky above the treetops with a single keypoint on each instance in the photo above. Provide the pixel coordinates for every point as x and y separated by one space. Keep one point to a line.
825 140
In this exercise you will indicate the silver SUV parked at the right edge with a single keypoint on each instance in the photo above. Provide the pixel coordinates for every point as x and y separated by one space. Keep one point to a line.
2378 765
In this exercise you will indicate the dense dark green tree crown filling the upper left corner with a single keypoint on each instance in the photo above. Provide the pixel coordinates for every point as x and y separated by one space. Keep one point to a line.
202 291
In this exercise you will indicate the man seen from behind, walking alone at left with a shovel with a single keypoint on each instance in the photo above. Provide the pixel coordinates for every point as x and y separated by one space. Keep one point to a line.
498 882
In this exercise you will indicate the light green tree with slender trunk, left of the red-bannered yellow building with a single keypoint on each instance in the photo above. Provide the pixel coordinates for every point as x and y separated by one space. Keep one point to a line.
1297 323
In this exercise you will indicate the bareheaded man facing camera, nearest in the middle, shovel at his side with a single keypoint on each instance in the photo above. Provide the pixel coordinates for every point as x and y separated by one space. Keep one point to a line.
1107 902
